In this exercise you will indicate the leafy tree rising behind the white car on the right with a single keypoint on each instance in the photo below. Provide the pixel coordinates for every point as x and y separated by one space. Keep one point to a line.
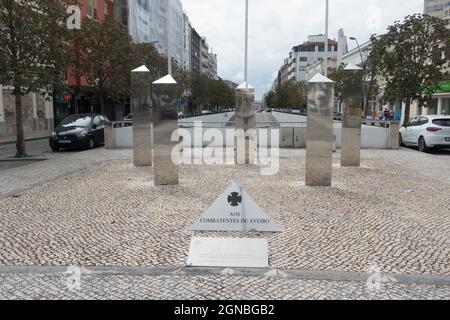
413 58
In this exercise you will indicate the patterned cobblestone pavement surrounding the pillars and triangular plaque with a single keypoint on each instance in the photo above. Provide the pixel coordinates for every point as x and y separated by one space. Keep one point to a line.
386 216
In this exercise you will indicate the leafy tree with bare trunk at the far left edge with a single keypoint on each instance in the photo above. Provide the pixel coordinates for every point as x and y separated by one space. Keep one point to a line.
33 51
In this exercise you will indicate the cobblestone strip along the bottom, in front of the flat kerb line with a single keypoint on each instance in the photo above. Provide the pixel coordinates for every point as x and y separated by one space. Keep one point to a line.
179 284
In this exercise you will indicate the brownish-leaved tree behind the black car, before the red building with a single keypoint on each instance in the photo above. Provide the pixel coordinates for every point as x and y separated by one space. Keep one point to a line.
103 52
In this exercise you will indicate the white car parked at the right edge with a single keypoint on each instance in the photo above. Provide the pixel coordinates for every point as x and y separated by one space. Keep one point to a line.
426 132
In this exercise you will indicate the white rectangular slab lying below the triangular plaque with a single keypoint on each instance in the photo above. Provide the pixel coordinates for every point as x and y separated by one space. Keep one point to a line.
228 253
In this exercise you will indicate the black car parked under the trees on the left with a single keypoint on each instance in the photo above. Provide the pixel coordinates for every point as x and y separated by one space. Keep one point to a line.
79 131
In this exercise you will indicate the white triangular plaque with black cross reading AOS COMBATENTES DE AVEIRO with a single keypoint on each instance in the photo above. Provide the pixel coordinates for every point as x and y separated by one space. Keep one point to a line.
235 211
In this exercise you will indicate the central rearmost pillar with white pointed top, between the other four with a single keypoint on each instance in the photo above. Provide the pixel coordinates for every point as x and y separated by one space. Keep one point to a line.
245 124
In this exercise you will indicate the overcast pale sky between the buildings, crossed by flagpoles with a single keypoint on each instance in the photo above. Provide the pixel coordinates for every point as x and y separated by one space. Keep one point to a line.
277 25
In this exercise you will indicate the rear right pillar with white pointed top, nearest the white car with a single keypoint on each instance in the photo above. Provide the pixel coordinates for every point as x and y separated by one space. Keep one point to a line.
351 121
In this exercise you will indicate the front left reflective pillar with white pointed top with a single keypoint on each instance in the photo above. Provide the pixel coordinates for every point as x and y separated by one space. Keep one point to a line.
165 125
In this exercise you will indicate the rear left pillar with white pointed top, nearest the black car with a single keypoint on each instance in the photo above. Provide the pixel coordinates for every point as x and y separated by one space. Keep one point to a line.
142 116
